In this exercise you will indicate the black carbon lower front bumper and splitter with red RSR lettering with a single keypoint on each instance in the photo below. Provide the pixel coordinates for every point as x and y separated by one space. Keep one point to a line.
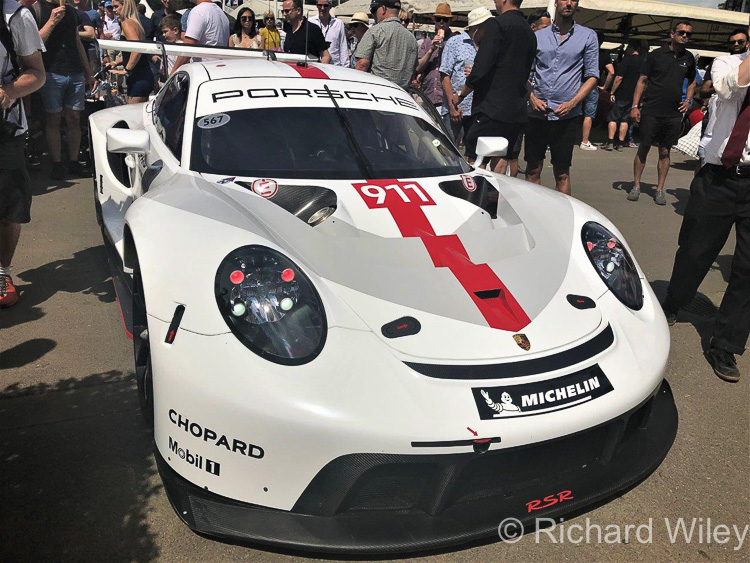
388 503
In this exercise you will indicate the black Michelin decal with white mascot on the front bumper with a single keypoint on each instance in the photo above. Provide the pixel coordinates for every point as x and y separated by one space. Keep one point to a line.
529 399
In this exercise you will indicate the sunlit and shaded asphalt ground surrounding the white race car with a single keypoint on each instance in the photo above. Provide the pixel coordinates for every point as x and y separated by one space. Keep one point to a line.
78 478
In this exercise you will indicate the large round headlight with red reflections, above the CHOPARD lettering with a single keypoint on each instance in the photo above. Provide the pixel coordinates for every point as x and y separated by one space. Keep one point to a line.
270 305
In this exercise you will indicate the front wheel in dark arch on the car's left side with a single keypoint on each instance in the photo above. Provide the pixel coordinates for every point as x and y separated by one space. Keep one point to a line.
142 350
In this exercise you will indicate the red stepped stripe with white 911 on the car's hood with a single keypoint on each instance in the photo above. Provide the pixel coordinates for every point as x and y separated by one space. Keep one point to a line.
404 201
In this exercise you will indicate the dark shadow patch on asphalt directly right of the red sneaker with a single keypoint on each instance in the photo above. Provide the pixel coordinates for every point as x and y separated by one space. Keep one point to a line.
85 272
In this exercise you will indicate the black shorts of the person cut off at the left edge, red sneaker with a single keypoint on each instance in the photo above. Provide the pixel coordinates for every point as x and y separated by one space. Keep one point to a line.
15 188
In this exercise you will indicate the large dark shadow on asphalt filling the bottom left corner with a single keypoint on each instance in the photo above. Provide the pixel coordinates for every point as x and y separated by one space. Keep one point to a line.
80 448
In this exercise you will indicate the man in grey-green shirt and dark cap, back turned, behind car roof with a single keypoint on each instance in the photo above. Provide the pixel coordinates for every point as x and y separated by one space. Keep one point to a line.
387 49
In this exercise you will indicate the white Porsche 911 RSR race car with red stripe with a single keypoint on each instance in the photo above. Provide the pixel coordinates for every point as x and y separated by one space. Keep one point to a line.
349 339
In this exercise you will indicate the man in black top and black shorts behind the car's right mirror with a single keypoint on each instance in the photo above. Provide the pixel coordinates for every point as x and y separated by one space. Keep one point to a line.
498 78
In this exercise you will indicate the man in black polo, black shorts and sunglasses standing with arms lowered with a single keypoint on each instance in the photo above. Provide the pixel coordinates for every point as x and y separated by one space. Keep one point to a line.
662 74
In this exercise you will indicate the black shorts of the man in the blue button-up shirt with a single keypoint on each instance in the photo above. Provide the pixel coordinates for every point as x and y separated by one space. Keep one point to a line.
560 136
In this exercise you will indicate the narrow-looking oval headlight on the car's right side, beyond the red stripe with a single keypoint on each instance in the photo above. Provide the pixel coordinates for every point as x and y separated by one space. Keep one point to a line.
613 264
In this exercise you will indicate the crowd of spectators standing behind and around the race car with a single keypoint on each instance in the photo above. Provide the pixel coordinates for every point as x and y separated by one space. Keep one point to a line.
534 81
